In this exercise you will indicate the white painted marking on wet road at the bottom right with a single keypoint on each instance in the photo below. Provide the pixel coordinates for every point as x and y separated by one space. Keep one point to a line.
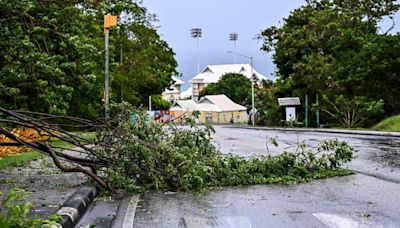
342 221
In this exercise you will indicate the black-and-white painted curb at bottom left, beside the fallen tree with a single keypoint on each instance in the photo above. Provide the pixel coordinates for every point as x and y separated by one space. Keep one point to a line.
73 209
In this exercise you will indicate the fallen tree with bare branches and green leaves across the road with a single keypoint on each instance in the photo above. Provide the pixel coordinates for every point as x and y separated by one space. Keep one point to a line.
139 155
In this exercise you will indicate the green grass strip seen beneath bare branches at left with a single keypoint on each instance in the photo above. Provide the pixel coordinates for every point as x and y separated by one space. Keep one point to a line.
23 159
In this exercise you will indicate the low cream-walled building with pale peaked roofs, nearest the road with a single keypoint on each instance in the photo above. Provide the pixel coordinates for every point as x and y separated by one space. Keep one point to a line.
215 109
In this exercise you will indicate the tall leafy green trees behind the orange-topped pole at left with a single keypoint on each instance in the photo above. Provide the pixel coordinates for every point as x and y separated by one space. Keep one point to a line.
52 56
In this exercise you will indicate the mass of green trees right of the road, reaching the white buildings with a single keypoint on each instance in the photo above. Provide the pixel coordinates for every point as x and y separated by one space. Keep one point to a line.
335 50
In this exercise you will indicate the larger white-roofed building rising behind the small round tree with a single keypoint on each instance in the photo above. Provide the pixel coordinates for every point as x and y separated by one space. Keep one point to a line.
213 73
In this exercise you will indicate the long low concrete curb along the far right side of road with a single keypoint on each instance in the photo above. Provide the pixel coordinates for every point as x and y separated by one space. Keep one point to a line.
325 130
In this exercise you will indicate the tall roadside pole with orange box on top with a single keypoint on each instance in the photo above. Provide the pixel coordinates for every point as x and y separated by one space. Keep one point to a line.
109 21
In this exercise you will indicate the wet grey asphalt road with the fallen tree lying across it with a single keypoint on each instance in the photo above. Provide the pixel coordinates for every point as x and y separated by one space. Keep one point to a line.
371 198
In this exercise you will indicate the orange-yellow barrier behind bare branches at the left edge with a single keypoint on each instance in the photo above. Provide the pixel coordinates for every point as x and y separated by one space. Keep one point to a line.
27 134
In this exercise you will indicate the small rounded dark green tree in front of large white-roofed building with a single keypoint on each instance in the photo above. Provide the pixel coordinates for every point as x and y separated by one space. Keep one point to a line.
235 86
